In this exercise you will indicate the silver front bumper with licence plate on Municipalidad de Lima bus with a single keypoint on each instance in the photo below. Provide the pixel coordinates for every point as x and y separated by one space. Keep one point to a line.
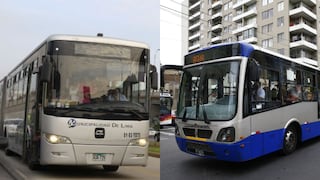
77 154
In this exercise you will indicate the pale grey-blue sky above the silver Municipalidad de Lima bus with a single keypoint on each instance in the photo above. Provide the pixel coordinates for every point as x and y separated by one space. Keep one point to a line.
25 24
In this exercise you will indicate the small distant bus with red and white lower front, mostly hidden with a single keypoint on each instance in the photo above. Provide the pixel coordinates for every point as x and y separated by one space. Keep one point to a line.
166 116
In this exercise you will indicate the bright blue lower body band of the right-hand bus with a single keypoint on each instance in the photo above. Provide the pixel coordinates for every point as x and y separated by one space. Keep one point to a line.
251 147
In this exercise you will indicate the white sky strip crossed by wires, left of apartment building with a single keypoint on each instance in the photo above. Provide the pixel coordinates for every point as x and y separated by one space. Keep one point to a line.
171 40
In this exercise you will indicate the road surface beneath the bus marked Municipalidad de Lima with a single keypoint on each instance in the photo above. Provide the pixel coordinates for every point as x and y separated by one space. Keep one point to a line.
21 171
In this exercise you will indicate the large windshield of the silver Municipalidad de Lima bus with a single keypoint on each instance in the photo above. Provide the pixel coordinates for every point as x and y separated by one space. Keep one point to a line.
110 84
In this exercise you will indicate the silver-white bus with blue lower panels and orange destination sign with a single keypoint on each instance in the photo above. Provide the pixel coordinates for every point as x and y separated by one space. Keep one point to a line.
220 115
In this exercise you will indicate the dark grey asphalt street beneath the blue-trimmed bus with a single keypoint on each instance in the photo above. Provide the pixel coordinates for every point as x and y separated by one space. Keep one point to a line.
175 164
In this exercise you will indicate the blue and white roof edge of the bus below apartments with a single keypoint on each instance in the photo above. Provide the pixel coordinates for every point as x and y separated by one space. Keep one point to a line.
246 49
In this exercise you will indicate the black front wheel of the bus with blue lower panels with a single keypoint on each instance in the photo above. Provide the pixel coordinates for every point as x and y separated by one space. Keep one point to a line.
290 140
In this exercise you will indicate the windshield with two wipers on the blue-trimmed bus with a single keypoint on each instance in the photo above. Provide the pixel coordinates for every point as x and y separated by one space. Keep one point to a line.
209 92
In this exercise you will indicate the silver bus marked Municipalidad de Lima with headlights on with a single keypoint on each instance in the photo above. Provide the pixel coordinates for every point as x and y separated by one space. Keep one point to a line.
80 100
